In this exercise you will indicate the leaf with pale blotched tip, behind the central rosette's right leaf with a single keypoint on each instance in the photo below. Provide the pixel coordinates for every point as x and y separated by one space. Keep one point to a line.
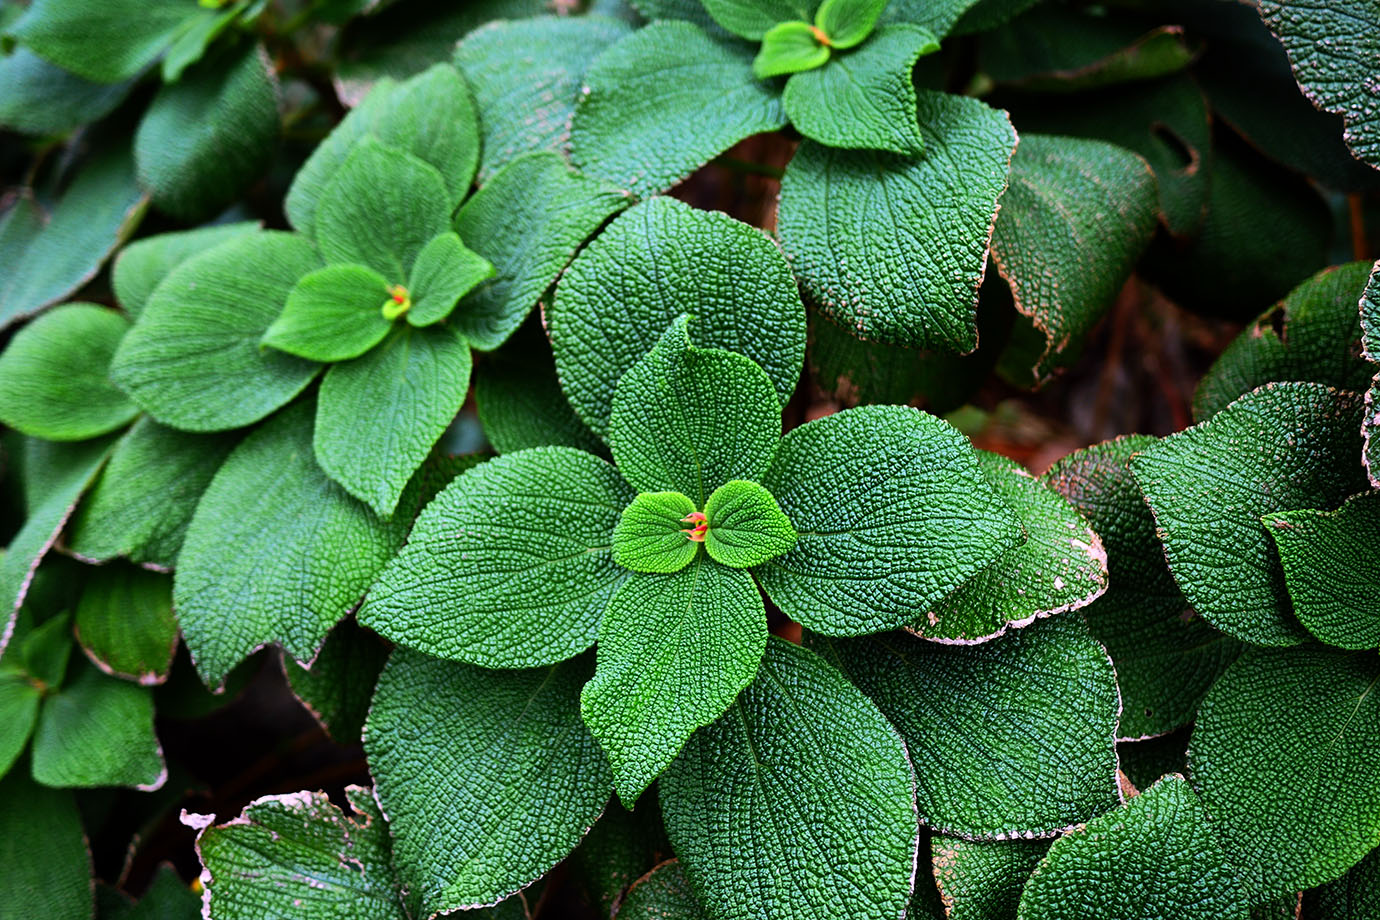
1061 568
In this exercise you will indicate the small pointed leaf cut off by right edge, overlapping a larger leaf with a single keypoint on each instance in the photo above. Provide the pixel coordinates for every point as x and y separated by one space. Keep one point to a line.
1332 569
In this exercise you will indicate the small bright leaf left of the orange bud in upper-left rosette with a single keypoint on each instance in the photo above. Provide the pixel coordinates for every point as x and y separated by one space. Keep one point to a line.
333 315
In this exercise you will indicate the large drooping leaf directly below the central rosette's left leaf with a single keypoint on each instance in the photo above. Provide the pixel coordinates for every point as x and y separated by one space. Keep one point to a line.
524 779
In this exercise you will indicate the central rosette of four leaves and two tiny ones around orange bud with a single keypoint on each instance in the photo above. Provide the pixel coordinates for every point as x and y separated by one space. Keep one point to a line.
848 525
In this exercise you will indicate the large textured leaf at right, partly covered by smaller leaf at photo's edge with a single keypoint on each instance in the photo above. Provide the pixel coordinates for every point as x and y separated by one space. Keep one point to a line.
1280 448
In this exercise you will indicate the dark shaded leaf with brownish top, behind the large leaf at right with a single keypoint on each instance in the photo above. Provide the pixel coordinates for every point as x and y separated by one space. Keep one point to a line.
1167 657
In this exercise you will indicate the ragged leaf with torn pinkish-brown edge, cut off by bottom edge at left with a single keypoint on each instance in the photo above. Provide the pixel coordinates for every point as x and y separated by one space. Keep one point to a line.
299 856
